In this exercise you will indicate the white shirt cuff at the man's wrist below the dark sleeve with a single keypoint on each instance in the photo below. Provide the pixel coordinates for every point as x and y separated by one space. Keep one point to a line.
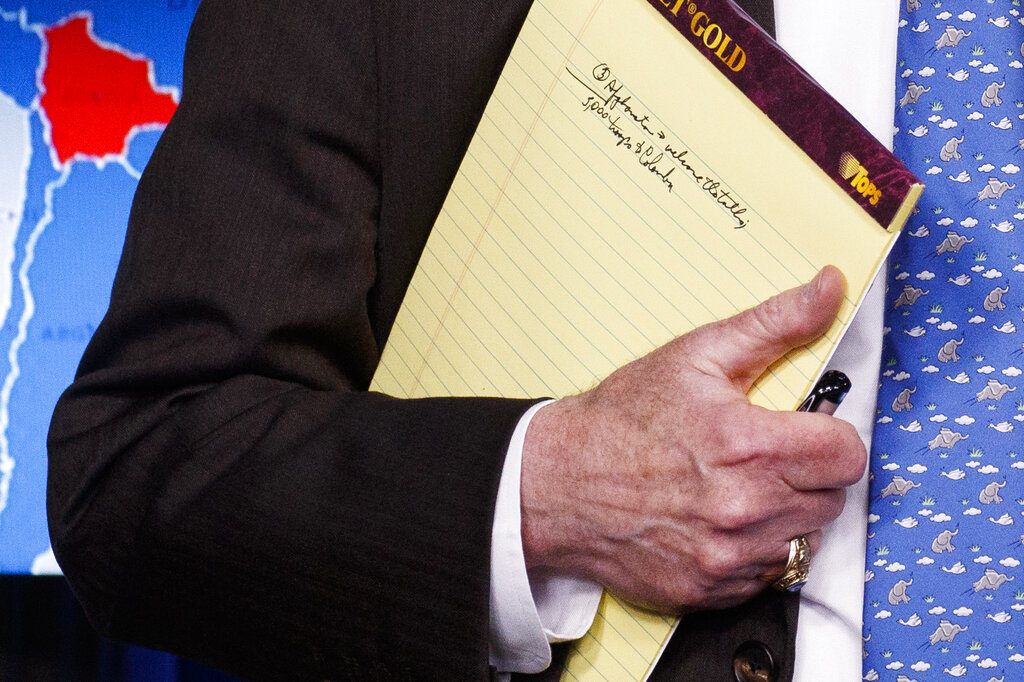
529 611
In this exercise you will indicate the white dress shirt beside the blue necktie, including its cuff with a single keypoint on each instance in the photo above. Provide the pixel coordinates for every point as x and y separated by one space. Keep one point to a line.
850 50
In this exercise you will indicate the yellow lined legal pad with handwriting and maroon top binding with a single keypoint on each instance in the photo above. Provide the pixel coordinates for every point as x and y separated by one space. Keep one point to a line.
643 168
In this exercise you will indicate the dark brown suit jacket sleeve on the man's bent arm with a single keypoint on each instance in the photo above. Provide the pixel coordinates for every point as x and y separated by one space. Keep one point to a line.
222 485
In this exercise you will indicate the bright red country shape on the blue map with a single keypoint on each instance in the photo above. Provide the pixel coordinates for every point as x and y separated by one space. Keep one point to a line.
95 96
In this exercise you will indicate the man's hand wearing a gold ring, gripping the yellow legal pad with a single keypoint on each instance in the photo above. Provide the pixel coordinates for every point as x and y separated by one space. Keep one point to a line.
664 483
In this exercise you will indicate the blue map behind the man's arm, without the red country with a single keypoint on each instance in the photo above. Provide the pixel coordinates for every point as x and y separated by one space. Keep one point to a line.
70 269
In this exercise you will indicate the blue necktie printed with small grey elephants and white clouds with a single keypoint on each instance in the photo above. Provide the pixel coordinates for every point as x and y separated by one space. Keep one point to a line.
945 586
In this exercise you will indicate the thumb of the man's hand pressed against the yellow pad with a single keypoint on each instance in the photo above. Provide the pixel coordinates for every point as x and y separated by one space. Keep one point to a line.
742 348
